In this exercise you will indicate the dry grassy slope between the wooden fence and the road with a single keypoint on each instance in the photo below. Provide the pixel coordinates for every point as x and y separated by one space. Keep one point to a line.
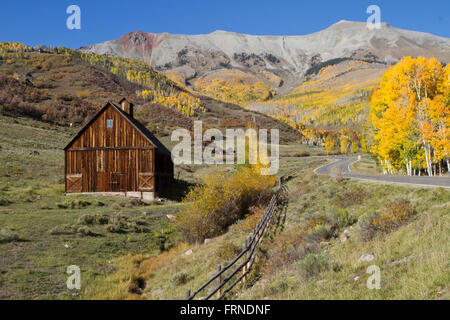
411 244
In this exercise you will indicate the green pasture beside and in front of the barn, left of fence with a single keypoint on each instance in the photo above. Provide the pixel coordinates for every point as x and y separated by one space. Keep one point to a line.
33 207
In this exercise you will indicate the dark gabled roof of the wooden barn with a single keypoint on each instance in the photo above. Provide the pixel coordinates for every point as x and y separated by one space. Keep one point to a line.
136 124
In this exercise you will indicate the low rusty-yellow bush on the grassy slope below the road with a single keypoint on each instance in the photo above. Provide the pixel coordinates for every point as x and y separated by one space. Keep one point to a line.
396 214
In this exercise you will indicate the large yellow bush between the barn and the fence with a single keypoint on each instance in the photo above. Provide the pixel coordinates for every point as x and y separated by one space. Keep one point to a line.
220 201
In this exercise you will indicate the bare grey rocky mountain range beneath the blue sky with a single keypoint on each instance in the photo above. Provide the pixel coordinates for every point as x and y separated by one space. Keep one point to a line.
268 64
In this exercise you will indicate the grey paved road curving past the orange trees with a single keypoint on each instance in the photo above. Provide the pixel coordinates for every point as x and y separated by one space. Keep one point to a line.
343 165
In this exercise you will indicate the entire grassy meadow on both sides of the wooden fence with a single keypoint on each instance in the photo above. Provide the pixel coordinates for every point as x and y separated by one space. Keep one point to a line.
42 232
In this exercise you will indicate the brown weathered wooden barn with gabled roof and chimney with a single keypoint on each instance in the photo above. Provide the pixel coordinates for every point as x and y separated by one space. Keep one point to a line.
114 153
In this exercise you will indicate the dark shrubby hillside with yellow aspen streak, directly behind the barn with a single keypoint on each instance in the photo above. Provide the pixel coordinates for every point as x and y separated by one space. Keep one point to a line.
61 86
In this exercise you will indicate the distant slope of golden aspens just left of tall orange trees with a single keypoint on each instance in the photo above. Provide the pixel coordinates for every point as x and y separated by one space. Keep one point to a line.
336 97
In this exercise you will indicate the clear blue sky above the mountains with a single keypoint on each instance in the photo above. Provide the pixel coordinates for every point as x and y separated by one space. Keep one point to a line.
44 22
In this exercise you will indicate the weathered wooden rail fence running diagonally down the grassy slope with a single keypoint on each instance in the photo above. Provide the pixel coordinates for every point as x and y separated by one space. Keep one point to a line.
248 255
